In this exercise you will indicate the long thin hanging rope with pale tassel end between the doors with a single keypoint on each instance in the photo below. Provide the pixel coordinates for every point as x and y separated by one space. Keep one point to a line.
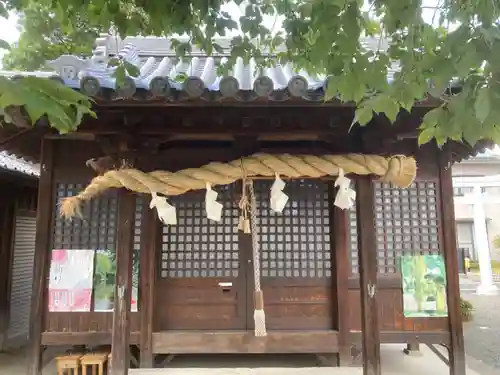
259 316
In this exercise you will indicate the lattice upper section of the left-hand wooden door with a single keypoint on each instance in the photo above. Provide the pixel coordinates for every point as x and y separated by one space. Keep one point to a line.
198 247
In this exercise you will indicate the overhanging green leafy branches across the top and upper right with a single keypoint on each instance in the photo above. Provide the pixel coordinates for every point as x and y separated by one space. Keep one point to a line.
456 41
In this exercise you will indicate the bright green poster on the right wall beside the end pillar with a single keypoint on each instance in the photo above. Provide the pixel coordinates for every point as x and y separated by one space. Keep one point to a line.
424 286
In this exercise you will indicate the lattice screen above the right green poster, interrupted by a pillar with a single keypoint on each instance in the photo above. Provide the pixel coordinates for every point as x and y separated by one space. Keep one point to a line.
406 222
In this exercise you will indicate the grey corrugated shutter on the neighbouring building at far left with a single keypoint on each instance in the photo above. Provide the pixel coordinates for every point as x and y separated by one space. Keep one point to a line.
22 280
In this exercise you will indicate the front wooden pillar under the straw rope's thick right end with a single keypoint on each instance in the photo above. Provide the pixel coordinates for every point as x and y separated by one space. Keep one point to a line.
367 255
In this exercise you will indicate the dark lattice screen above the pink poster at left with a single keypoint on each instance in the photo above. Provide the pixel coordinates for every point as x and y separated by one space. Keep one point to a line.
97 229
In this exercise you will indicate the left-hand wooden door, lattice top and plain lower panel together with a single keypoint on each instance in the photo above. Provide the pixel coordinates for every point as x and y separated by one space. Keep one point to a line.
200 285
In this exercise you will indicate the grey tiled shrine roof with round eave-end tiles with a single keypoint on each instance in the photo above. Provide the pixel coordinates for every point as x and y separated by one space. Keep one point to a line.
163 75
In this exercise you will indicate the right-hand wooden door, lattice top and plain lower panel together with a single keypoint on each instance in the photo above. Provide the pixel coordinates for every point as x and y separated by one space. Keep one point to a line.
296 266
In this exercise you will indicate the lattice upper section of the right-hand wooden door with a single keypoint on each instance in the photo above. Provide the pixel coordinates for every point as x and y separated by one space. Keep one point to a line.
295 243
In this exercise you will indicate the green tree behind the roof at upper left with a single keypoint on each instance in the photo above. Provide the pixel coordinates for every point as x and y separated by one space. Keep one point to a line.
42 39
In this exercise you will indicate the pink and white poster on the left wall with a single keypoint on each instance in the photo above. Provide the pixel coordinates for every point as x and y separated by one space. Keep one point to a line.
71 277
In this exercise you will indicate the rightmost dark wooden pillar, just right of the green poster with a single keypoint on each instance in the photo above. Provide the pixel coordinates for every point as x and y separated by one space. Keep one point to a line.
449 245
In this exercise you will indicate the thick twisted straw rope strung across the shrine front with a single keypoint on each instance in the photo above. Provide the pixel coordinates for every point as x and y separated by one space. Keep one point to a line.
399 170
